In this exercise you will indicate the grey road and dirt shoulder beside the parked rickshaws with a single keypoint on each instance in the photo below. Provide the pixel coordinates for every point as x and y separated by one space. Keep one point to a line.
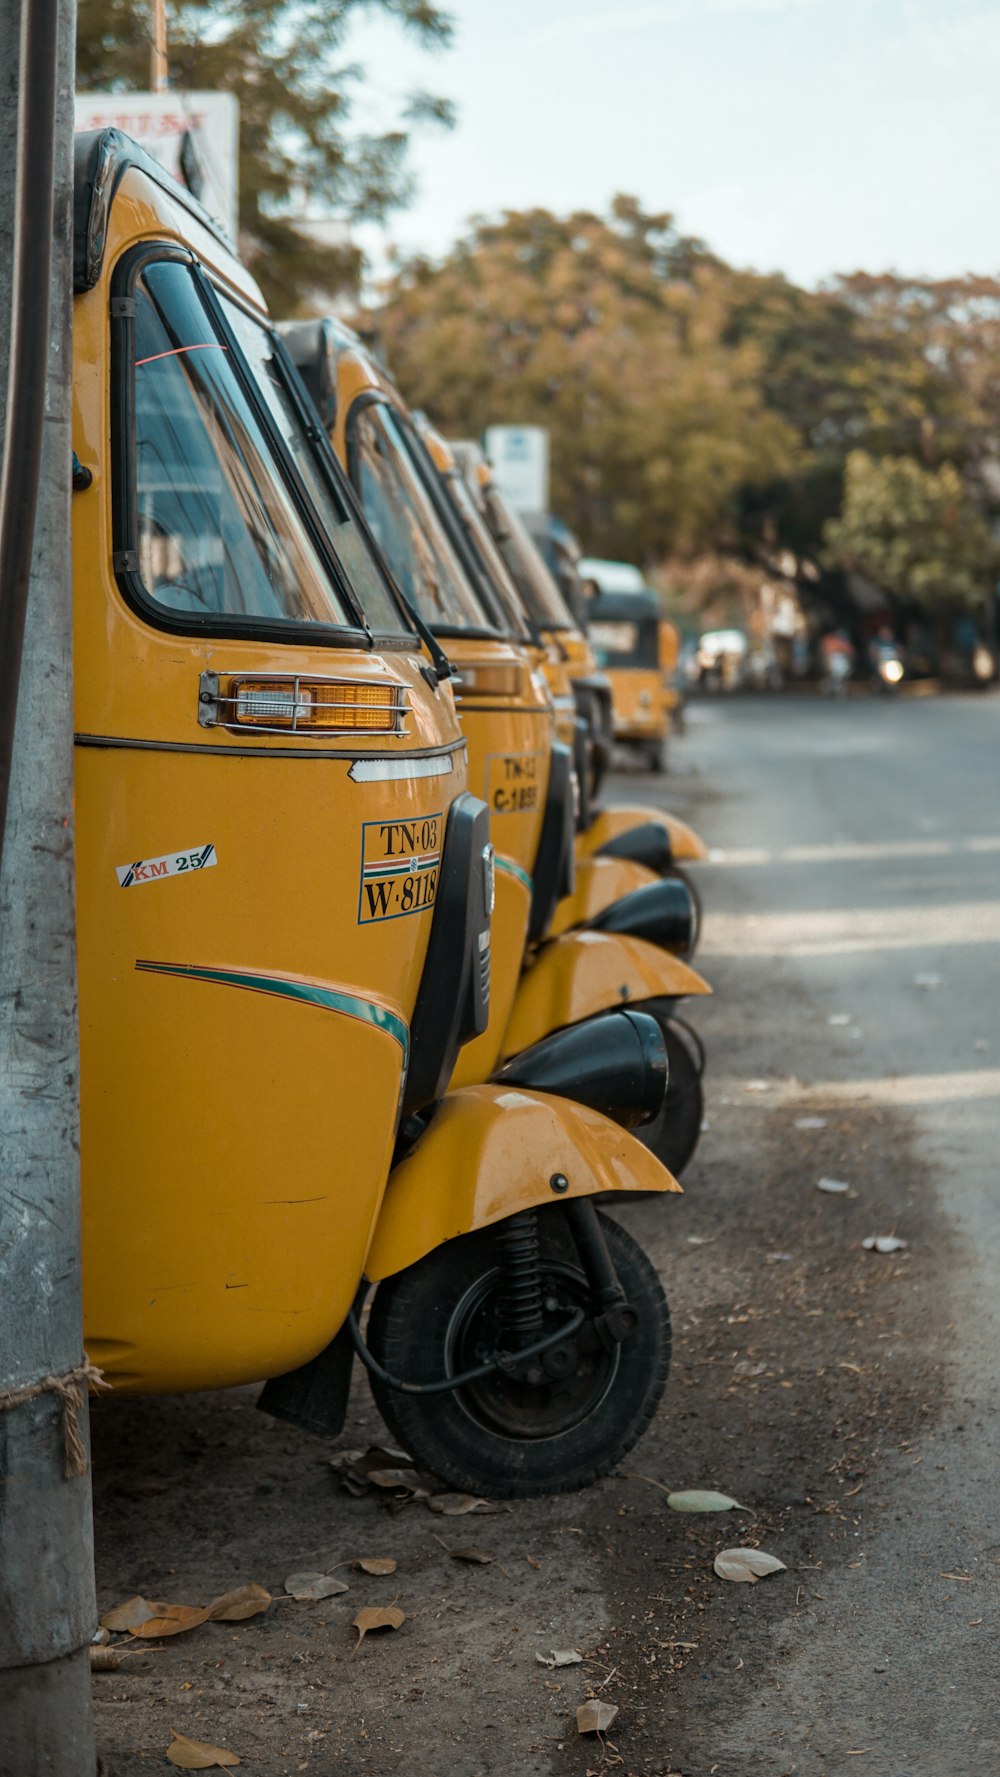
846 1398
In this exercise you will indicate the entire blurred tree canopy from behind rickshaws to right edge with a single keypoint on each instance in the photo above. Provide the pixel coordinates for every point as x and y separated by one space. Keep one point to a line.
704 417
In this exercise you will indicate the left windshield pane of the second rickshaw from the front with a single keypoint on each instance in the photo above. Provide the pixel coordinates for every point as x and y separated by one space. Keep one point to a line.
406 525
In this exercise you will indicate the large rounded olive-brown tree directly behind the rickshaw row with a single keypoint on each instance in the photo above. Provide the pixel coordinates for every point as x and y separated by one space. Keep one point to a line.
610 331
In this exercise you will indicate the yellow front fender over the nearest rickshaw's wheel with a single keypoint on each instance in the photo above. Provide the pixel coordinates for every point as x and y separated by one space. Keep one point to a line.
491 1152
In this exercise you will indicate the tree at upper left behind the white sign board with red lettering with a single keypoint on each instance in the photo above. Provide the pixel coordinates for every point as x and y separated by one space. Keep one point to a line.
282 61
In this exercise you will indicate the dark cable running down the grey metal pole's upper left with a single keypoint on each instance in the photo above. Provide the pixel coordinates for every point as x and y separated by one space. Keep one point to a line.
29 360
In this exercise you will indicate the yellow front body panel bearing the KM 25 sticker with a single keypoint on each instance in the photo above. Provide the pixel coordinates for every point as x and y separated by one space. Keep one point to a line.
242 1030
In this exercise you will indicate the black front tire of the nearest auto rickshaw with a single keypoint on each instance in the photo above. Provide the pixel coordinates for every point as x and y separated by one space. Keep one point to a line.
505 1438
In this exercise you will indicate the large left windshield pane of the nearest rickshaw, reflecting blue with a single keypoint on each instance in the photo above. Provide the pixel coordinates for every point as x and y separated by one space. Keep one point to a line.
218 534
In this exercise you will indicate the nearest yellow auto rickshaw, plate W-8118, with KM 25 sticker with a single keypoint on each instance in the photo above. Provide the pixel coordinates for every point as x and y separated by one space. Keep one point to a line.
285 928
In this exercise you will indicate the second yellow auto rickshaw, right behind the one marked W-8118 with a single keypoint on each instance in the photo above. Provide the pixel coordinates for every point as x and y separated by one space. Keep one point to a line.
525 777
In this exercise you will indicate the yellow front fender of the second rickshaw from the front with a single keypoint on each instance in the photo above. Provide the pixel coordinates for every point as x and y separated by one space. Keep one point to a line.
585 973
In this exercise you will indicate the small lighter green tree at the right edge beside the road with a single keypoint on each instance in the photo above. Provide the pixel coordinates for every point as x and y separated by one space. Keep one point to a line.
916 534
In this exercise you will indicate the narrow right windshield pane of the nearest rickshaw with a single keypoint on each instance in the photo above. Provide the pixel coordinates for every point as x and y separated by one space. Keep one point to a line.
333 507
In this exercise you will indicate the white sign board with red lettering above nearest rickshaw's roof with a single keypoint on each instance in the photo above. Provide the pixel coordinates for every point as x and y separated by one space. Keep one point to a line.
194 136
